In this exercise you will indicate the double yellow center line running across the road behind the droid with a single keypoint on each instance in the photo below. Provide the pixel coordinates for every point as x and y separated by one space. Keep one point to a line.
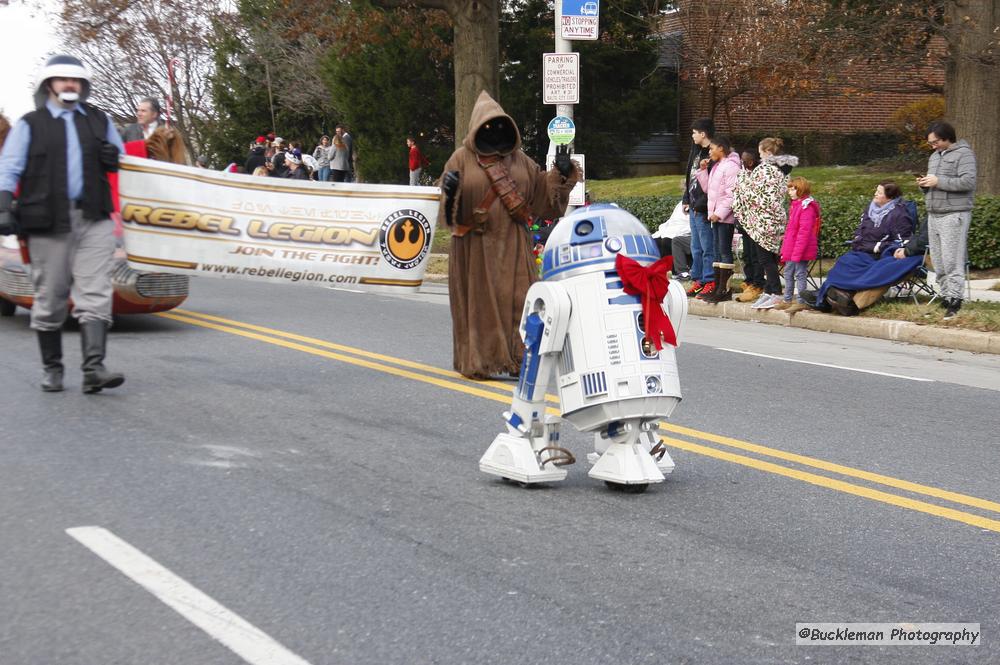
501 392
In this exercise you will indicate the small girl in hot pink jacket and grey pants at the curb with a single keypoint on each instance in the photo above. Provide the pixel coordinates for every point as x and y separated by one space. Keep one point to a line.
801 241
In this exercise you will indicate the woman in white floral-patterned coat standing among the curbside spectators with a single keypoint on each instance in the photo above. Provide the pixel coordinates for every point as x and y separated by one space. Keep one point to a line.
758 202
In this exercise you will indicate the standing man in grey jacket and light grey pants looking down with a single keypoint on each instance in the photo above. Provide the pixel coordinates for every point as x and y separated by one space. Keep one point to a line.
949 188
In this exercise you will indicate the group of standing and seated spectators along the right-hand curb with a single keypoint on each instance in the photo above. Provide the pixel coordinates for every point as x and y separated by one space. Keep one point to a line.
779 222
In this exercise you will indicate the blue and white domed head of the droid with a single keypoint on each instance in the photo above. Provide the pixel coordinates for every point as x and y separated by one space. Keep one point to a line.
589 239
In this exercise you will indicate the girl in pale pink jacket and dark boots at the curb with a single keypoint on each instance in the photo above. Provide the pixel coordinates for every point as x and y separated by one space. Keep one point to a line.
719 185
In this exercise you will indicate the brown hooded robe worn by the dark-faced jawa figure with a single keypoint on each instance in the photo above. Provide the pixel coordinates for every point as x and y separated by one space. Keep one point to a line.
489 272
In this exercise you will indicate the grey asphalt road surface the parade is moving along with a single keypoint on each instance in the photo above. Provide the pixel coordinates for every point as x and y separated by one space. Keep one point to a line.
307 460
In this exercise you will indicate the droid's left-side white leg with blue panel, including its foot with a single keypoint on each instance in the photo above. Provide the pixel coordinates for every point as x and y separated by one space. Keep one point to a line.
529 451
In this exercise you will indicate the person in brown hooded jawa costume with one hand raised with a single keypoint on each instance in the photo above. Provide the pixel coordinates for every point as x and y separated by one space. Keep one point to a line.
491 191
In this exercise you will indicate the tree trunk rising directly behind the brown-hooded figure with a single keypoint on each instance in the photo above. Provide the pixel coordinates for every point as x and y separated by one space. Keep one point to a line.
477 56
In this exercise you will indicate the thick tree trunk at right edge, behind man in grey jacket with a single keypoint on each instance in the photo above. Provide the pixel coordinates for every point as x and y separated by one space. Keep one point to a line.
972 85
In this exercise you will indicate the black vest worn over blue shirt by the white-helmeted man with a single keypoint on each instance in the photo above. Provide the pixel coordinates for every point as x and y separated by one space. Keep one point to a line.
43 204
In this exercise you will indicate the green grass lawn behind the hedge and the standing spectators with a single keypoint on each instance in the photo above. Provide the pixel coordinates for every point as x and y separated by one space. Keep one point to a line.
825 180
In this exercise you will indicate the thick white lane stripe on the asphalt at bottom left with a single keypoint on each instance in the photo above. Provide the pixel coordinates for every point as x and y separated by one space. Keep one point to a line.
248 642
